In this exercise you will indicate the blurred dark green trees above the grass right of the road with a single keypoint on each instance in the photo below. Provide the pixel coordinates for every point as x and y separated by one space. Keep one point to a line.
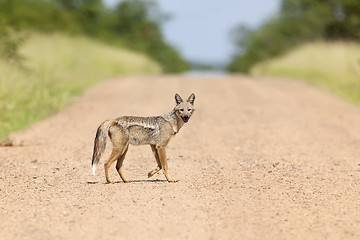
297 22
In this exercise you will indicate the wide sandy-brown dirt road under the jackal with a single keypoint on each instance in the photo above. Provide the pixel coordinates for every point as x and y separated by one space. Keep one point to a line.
260 159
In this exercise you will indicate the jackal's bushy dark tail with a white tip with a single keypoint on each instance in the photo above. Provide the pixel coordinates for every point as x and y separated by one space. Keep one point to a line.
100 142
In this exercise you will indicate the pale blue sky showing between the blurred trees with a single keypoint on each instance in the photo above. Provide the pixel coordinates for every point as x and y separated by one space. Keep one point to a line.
200 29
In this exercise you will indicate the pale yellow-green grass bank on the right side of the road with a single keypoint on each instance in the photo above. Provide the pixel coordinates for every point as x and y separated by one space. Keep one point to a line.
331 65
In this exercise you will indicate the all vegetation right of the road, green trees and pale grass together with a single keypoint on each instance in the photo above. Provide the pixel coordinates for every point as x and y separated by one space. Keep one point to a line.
314 40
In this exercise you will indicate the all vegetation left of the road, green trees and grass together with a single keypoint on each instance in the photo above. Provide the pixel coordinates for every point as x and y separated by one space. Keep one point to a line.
51 50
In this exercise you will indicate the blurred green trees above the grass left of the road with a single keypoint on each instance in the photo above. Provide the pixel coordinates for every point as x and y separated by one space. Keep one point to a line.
135 24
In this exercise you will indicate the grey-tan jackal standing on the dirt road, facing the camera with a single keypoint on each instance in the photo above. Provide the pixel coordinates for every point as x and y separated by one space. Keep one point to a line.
155 131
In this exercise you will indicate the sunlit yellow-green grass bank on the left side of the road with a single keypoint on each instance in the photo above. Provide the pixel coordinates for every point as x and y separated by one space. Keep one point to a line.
58 67
